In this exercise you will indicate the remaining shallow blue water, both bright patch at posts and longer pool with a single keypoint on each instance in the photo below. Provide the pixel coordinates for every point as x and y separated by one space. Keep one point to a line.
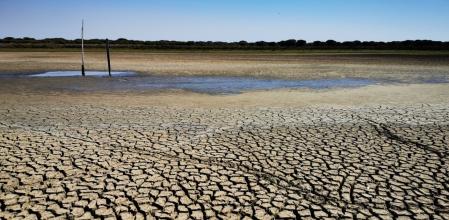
125 81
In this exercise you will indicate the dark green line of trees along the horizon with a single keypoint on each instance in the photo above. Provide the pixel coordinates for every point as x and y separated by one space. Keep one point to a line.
26 42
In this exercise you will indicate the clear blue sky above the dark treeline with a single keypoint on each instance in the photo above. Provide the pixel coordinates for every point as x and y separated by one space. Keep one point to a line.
228 20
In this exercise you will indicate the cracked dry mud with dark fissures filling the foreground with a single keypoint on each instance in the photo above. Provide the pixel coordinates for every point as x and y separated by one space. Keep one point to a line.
87 161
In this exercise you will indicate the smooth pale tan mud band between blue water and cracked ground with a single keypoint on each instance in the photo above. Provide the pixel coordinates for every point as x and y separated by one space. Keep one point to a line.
370 95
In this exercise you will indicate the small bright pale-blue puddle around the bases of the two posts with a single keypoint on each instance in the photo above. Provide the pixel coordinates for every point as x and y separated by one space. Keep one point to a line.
78 74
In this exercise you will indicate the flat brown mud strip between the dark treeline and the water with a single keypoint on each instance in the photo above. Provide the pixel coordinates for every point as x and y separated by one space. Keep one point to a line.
291 65
